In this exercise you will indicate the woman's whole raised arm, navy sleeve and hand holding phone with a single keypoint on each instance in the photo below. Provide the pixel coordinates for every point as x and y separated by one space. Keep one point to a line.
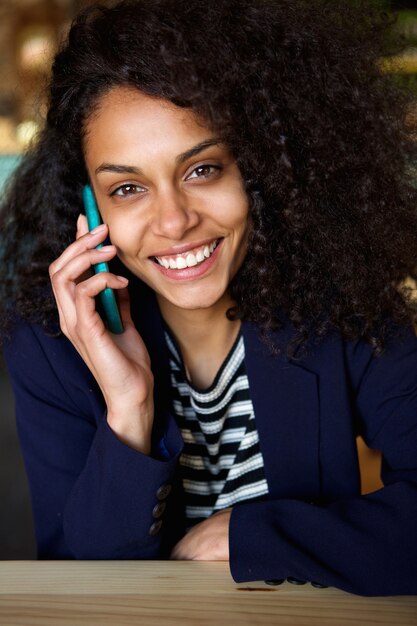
94 478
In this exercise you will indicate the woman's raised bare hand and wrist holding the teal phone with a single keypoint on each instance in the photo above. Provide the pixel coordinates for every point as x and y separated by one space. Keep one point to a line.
119 363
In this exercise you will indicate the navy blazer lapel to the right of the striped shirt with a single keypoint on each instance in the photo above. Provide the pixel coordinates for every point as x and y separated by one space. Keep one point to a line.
286 404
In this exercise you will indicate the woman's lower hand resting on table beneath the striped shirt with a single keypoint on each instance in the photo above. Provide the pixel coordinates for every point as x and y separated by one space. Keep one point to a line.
207 541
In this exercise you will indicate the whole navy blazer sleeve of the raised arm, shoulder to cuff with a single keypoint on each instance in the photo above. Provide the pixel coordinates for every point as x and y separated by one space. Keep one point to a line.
93 497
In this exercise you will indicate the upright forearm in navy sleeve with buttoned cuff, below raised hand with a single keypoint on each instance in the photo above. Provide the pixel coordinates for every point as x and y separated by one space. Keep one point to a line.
110 511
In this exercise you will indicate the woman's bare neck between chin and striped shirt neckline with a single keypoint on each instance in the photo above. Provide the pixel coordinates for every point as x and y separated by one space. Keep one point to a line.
204 336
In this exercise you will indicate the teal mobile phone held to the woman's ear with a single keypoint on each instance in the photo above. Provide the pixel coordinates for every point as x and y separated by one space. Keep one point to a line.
108 299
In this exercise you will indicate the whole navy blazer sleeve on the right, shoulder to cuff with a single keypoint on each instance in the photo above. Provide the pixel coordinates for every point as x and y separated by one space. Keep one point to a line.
365 544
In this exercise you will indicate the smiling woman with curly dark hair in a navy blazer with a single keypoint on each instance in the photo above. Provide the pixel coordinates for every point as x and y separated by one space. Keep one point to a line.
250 164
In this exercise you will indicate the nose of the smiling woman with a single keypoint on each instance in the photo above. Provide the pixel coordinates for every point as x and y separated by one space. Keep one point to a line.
174 215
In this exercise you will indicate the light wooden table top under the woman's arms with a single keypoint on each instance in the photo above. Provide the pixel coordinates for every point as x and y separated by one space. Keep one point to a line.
99 593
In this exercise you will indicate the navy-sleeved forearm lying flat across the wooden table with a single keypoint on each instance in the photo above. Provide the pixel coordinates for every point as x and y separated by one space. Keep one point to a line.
365 545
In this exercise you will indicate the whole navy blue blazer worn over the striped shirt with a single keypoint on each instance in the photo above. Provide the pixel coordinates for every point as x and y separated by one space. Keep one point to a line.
96 498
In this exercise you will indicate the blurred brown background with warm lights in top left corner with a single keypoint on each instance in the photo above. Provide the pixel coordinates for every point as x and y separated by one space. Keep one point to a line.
30 33
